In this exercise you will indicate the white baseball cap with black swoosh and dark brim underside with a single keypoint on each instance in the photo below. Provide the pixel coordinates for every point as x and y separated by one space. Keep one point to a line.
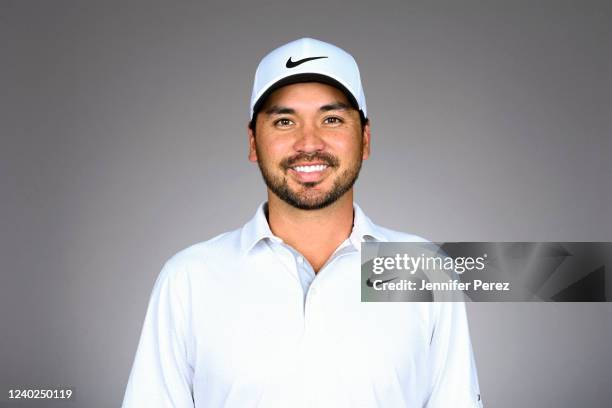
308 60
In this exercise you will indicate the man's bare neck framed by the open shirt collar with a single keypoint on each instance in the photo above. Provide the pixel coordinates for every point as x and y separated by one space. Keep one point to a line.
314 233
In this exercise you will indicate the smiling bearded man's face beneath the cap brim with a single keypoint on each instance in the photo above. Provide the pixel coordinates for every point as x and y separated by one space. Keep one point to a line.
309 144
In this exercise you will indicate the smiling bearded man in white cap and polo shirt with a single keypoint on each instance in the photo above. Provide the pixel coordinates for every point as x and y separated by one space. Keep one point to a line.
270 315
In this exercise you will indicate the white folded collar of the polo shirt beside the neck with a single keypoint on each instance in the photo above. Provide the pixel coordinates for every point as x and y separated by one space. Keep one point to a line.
258 229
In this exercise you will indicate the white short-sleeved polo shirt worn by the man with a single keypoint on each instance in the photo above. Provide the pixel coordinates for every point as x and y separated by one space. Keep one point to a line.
242 321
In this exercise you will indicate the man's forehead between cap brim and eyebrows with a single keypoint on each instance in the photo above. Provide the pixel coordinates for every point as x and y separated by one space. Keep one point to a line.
305 95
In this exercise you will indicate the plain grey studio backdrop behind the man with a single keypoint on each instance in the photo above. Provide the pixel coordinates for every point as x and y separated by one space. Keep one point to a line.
123 141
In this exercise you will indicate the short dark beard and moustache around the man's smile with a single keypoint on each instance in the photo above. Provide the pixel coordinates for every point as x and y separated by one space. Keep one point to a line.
308 198
